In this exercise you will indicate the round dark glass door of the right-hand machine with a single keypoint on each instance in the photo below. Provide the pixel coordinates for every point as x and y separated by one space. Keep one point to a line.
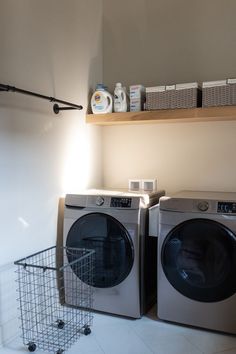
199 259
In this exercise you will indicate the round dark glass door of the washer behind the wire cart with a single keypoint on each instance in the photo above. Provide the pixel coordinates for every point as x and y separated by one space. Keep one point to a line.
114 254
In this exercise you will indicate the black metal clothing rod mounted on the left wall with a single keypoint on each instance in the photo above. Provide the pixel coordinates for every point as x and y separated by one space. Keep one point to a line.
51 99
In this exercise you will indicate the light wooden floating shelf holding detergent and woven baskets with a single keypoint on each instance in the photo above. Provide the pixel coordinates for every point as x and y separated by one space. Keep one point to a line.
165 116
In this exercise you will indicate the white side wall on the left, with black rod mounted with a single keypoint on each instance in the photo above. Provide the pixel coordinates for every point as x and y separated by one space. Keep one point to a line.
54 48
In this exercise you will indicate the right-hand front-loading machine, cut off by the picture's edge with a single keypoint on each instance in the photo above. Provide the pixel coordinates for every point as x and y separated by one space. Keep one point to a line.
197 260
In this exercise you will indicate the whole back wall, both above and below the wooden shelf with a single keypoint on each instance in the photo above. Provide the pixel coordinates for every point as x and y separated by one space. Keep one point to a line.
158 42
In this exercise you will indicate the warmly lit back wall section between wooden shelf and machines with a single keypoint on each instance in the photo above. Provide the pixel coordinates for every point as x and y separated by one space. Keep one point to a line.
197 156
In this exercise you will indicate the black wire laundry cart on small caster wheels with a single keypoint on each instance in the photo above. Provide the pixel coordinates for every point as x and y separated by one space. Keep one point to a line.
46 285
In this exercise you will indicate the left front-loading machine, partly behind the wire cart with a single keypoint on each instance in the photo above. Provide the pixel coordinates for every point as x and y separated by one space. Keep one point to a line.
114 224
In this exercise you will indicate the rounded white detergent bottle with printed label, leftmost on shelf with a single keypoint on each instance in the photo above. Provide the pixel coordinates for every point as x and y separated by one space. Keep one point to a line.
102 100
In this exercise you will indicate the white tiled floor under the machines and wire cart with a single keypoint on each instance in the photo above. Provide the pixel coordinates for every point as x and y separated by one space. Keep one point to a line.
115 335
